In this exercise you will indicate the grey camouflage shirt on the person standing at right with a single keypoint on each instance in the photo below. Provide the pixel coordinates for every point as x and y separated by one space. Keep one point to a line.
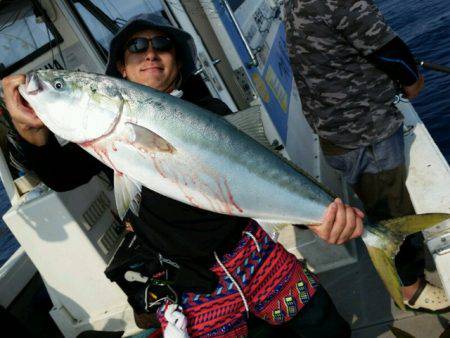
346 99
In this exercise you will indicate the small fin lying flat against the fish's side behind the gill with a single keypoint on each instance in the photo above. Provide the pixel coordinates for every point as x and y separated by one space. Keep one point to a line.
148 141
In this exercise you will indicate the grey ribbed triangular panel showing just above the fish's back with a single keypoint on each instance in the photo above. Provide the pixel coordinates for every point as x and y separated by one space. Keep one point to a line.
249 122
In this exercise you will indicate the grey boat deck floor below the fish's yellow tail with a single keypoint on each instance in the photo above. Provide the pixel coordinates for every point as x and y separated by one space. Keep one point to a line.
362 300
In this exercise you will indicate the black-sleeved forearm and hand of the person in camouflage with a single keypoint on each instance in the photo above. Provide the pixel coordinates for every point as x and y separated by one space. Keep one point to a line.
396 60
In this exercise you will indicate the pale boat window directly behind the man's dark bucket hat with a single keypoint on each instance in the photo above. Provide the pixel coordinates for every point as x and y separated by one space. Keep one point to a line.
103 18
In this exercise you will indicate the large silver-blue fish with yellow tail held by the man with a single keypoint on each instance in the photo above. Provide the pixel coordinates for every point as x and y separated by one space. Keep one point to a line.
189 154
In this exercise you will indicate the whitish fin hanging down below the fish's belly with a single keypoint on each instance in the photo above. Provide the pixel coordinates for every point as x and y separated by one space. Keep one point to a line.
127 193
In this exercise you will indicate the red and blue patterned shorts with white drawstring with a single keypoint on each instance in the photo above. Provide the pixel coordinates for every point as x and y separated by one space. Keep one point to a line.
274 285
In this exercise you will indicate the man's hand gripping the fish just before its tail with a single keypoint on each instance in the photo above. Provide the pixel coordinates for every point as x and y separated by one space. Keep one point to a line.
340 224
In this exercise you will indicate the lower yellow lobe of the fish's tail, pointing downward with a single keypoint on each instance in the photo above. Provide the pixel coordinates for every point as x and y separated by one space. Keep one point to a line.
386 269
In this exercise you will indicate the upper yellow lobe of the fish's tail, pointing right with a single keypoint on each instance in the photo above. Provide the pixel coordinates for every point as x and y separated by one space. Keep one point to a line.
411 224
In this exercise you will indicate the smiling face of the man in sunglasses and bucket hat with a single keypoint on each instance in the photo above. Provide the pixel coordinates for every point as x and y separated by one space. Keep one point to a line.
156 69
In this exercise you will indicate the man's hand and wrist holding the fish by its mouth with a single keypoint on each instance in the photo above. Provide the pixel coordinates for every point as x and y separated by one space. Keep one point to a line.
29 126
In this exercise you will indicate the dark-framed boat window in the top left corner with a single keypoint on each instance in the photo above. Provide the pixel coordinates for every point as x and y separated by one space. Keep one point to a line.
25 33
